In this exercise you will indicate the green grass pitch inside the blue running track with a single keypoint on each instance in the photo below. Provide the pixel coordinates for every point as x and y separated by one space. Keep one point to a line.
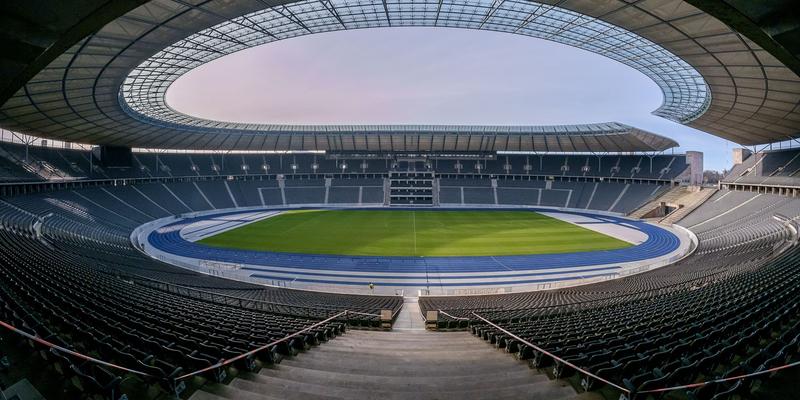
414 233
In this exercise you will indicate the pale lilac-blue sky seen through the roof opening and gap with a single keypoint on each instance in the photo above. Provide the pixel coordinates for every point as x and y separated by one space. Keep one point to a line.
430 76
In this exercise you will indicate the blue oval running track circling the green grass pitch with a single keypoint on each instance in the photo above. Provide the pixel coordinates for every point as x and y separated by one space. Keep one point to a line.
321 268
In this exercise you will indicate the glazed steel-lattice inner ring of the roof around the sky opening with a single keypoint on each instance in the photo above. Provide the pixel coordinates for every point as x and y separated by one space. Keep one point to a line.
686 93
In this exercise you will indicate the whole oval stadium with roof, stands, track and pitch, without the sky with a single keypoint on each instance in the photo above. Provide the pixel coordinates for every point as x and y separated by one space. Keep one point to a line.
146 253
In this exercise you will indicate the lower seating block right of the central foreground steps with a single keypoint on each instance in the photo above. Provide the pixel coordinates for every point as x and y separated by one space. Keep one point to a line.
728 309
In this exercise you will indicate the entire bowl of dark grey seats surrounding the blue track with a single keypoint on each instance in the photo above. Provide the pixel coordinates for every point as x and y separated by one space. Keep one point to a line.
617 329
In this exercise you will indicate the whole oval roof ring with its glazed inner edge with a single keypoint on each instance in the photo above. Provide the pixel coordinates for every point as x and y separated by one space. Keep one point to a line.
102 80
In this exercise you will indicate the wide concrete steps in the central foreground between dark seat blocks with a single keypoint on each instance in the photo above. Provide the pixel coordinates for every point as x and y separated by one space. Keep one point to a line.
406 365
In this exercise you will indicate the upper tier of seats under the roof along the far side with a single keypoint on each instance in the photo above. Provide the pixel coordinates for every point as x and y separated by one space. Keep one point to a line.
55 163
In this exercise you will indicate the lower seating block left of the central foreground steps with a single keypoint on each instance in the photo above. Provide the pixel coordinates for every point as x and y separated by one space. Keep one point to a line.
70 277
